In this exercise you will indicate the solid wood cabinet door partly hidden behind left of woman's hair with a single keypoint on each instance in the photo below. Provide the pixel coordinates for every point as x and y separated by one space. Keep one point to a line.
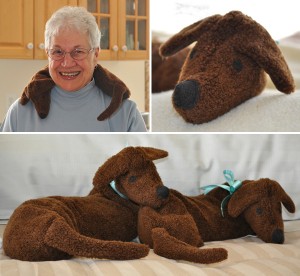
43 11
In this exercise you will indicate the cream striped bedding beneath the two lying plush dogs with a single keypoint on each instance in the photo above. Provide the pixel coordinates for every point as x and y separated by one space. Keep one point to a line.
246 256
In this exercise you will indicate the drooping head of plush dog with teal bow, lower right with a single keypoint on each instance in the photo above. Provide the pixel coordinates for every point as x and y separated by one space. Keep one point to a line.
260 204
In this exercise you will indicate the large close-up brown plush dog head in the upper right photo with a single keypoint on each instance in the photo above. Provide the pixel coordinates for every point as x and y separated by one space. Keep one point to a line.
226 66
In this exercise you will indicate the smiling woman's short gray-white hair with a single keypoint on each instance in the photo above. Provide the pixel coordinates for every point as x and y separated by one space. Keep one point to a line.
73 18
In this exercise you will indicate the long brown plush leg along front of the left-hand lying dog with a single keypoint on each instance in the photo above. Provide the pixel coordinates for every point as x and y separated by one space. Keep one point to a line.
61 236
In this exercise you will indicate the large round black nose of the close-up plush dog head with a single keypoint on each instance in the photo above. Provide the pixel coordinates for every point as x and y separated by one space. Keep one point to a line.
186 94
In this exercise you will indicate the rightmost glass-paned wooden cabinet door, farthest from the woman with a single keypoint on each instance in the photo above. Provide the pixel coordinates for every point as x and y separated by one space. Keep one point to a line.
134 29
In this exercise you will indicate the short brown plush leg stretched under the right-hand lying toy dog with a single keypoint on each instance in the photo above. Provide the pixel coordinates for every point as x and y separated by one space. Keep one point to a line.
172 248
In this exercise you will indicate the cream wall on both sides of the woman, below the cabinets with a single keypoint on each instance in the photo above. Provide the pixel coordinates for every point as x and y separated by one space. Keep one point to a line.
15 74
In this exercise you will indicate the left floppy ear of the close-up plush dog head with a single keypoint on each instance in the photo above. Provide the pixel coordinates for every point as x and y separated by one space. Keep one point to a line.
187 36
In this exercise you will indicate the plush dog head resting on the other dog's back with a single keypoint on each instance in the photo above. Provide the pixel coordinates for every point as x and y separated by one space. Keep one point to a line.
135 177
